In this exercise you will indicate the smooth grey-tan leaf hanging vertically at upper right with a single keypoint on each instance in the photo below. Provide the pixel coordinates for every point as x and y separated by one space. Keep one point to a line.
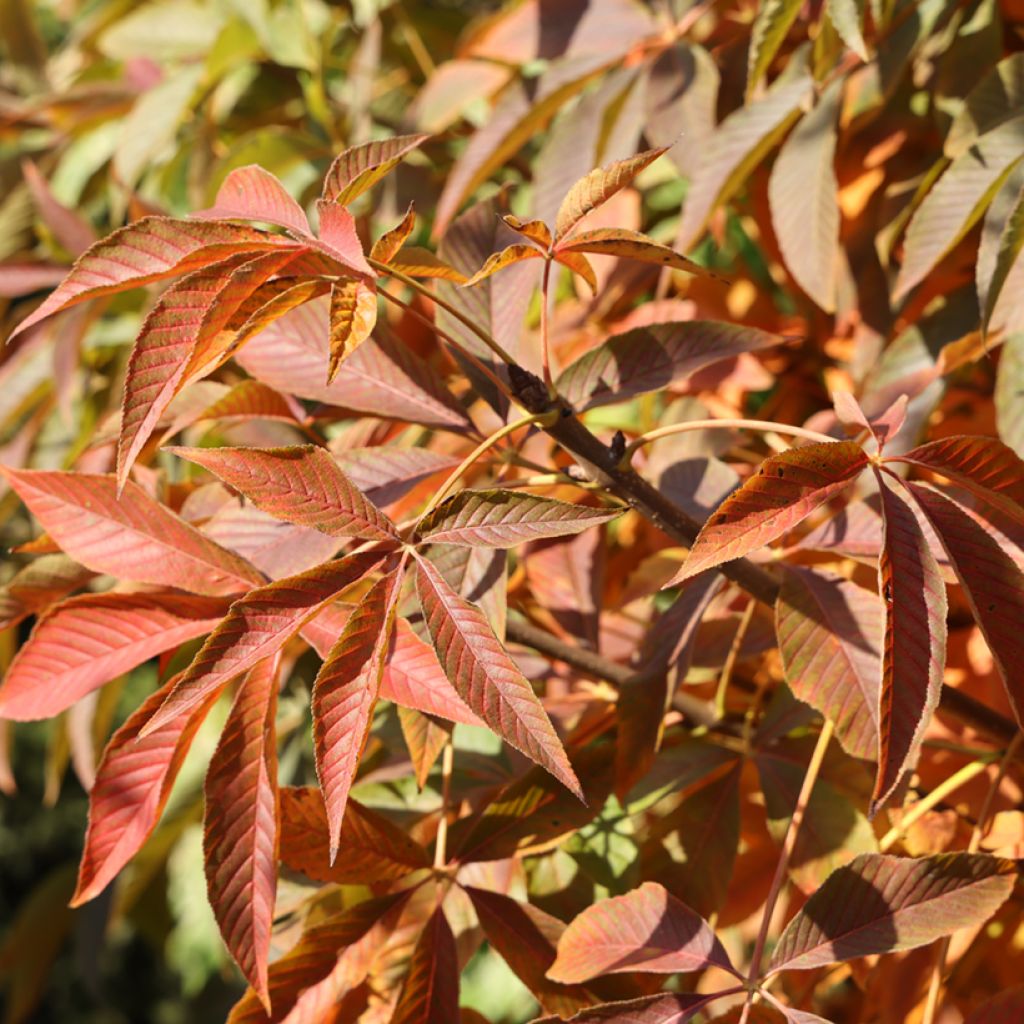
803 193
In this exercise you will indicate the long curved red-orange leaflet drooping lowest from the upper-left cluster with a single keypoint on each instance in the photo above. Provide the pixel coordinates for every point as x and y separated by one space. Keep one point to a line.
186 321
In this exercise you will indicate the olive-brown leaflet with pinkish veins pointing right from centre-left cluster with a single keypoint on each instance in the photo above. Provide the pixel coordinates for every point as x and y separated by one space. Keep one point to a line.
504 519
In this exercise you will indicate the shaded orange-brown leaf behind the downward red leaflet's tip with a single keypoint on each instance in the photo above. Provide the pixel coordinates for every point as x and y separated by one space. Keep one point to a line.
372 848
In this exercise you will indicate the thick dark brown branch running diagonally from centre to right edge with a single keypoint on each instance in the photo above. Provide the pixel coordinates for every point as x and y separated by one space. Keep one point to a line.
606 465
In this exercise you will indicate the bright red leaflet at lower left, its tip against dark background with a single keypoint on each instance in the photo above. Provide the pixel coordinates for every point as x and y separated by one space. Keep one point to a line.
134 782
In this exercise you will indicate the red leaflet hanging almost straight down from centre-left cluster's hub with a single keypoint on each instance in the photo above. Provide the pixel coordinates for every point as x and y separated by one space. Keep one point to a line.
346 694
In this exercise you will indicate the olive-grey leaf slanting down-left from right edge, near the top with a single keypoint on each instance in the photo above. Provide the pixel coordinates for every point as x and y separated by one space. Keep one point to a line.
957 201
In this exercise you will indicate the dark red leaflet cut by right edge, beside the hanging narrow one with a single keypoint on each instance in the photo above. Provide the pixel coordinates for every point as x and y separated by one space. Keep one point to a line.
993 582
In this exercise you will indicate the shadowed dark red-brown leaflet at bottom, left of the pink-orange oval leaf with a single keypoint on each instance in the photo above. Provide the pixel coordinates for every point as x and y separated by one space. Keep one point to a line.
527 938
